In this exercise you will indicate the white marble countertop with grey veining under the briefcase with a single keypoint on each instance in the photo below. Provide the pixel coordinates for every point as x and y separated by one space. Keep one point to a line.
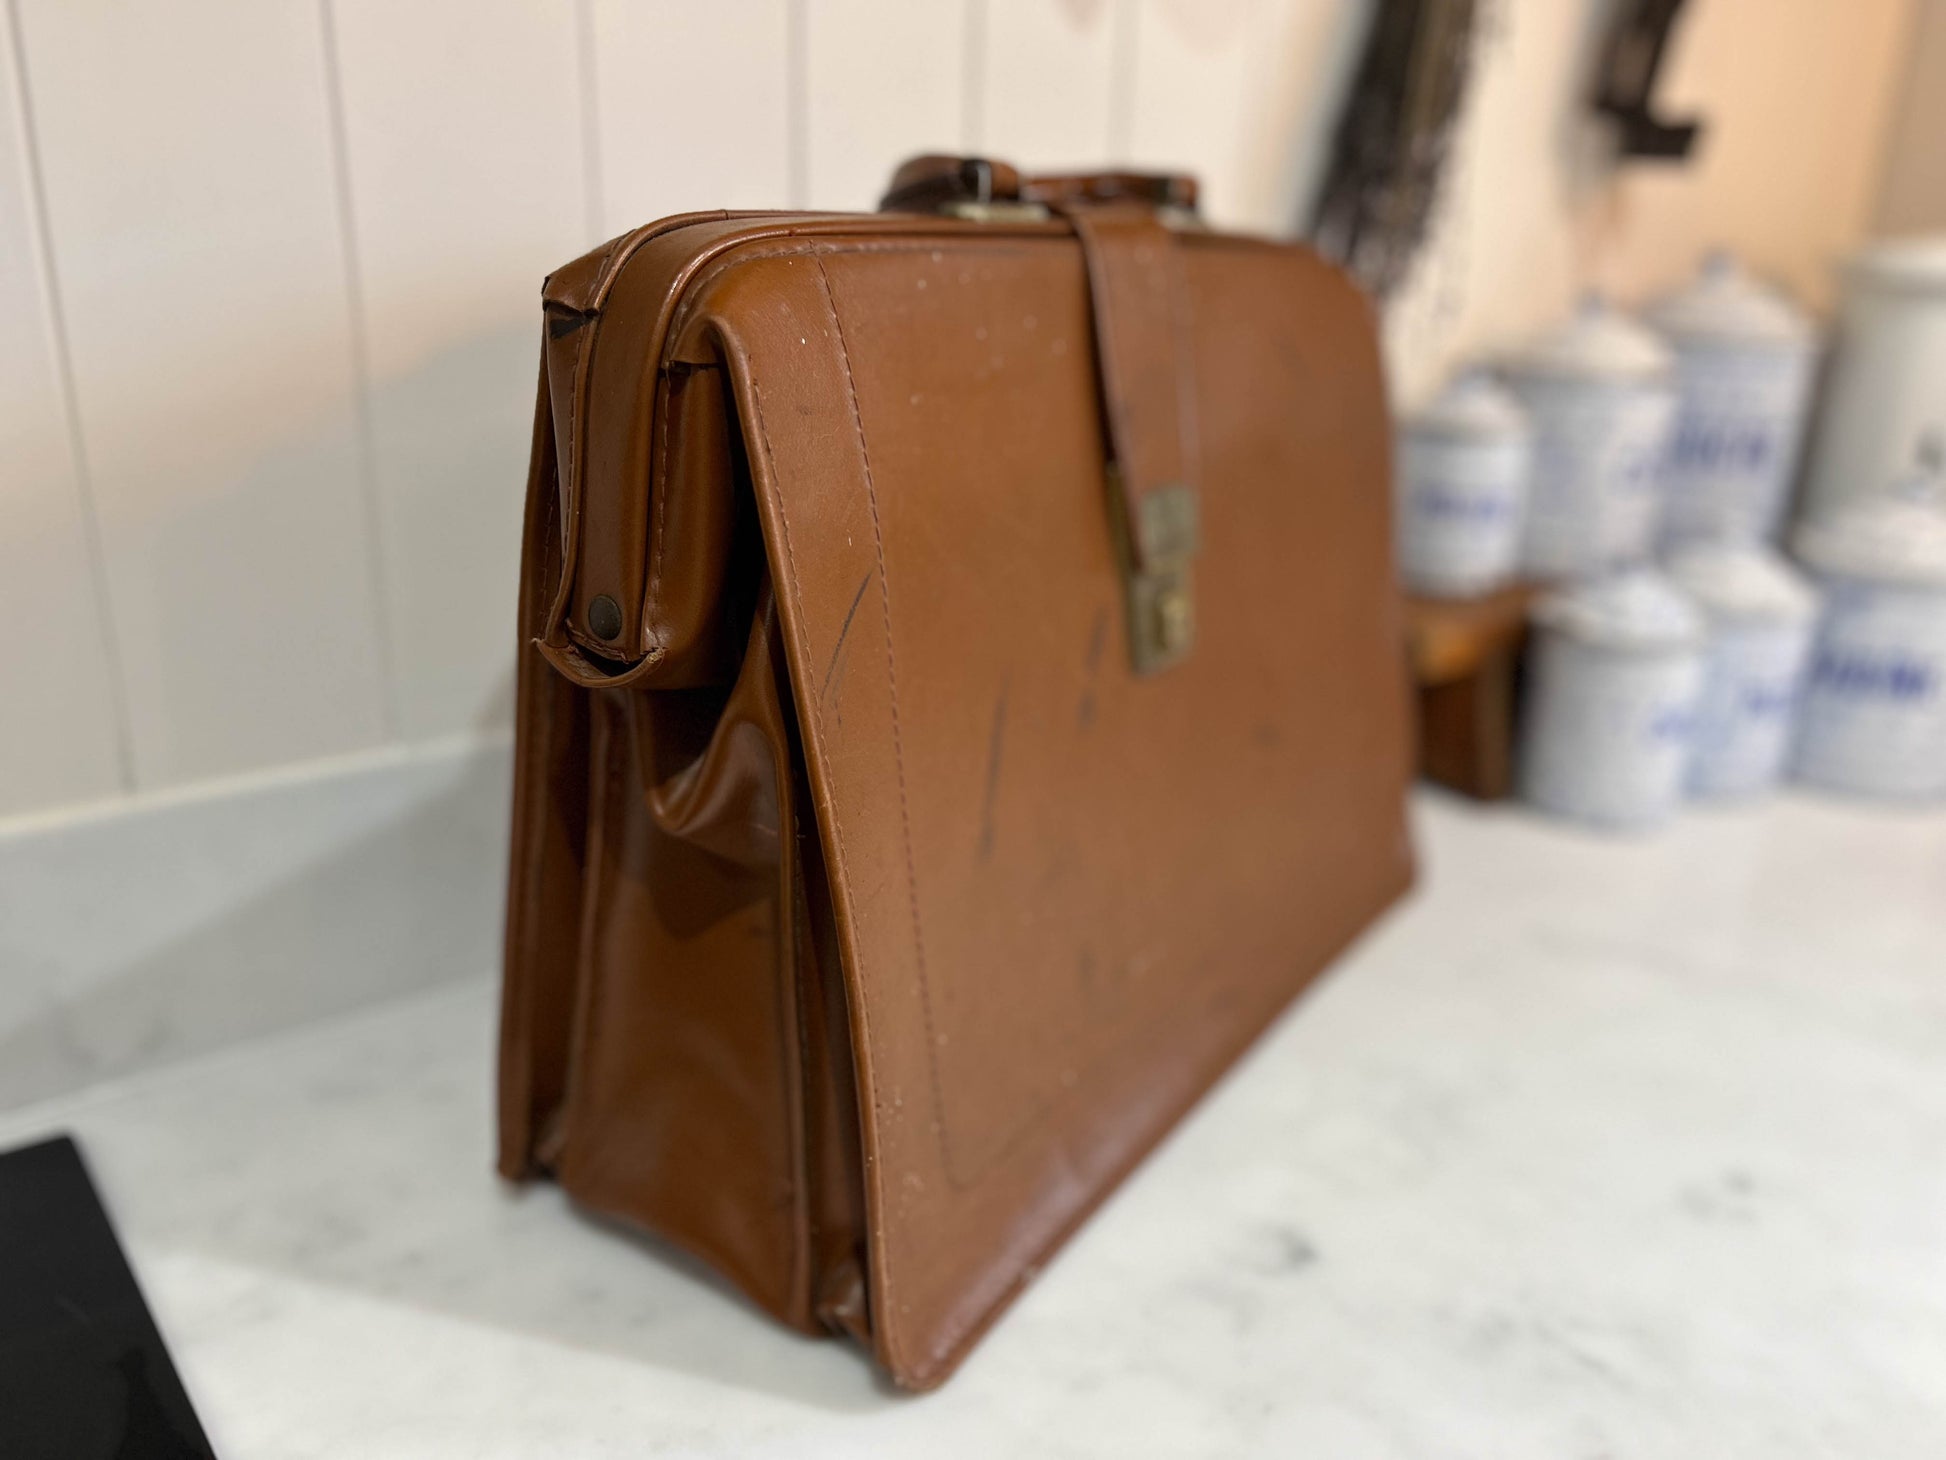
1597 1150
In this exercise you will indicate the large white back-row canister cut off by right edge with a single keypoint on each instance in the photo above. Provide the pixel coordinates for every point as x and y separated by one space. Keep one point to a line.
1887 388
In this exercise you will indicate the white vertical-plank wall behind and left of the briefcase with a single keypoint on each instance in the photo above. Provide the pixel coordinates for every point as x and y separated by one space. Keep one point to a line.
266 392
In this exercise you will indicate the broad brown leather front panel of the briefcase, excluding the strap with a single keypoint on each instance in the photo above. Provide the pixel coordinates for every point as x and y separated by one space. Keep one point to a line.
1065 894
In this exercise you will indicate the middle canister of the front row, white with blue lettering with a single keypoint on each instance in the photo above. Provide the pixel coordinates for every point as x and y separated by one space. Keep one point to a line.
1762 616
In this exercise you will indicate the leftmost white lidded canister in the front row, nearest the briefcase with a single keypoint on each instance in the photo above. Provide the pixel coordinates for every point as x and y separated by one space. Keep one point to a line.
1612 700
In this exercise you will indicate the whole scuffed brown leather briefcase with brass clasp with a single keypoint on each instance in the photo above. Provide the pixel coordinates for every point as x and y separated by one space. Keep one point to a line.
960 706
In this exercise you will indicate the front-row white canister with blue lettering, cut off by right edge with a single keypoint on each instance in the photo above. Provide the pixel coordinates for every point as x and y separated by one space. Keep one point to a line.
1875 706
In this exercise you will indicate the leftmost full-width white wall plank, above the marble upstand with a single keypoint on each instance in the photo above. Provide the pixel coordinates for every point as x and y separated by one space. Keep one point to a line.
198 250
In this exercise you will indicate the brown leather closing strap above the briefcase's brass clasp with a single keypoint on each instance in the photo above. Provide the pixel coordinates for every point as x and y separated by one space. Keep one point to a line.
1141 324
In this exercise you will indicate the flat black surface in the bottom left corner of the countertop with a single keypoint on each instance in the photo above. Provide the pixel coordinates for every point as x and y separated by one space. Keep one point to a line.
83 1371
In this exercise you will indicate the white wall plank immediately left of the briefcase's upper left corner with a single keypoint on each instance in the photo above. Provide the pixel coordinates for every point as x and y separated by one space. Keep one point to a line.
466 184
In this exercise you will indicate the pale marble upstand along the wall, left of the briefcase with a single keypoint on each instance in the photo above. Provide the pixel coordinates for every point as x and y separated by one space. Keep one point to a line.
139 933
